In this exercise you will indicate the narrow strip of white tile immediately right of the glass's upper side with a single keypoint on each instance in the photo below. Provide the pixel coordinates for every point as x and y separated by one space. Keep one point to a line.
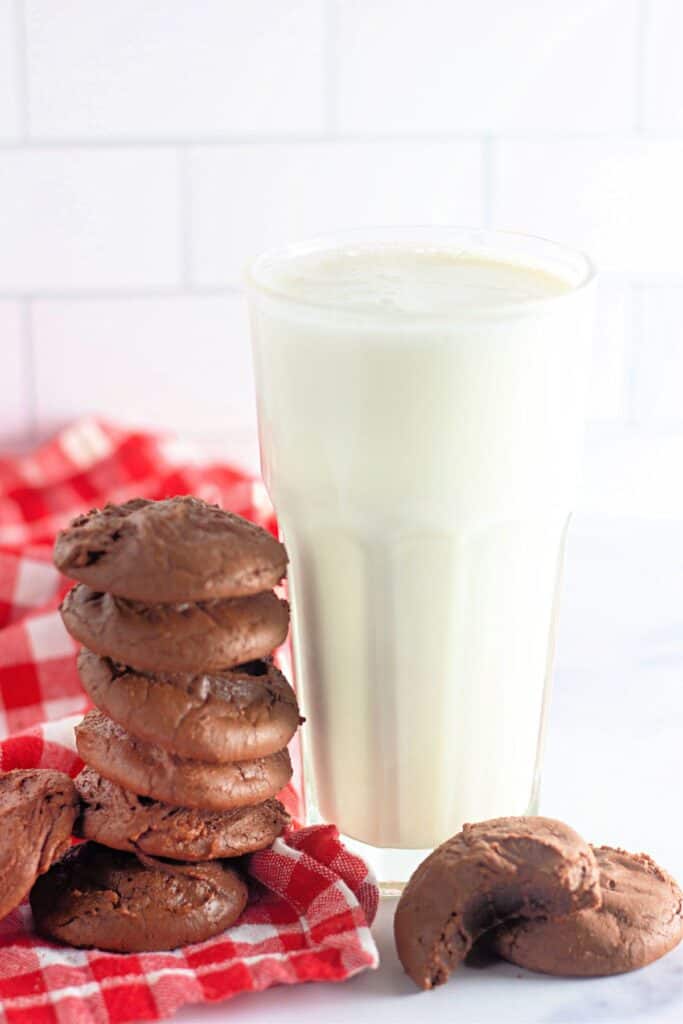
611 343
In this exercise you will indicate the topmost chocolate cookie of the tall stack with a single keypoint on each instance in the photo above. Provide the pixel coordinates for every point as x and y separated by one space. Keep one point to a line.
176 550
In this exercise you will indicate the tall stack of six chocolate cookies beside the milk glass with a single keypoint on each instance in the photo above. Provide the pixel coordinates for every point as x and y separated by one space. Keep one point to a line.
188 748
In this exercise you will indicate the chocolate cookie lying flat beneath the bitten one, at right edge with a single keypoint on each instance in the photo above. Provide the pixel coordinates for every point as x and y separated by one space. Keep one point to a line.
642 919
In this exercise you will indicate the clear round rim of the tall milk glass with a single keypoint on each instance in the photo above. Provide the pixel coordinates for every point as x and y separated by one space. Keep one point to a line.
432 237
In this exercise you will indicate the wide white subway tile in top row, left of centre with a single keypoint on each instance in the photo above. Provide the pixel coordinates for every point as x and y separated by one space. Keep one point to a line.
156 70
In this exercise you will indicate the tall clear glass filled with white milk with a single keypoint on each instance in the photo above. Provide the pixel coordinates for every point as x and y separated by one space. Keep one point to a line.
421 402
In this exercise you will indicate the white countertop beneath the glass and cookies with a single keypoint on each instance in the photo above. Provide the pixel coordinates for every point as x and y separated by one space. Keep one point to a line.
613 772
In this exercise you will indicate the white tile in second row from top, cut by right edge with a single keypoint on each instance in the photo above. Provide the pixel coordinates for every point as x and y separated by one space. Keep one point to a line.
619 200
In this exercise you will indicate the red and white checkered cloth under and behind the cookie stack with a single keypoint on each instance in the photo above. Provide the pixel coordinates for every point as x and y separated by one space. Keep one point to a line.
312 902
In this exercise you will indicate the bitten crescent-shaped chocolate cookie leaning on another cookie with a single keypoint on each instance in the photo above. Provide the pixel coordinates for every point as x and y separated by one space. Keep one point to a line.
489 873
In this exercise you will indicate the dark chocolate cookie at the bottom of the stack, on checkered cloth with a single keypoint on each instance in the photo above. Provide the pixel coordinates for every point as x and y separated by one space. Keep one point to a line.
118 902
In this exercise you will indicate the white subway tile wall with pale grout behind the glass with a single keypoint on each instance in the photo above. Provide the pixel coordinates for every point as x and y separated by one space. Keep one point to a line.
148 150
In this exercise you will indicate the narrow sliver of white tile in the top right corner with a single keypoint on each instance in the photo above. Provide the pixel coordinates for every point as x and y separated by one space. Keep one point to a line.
663 73
